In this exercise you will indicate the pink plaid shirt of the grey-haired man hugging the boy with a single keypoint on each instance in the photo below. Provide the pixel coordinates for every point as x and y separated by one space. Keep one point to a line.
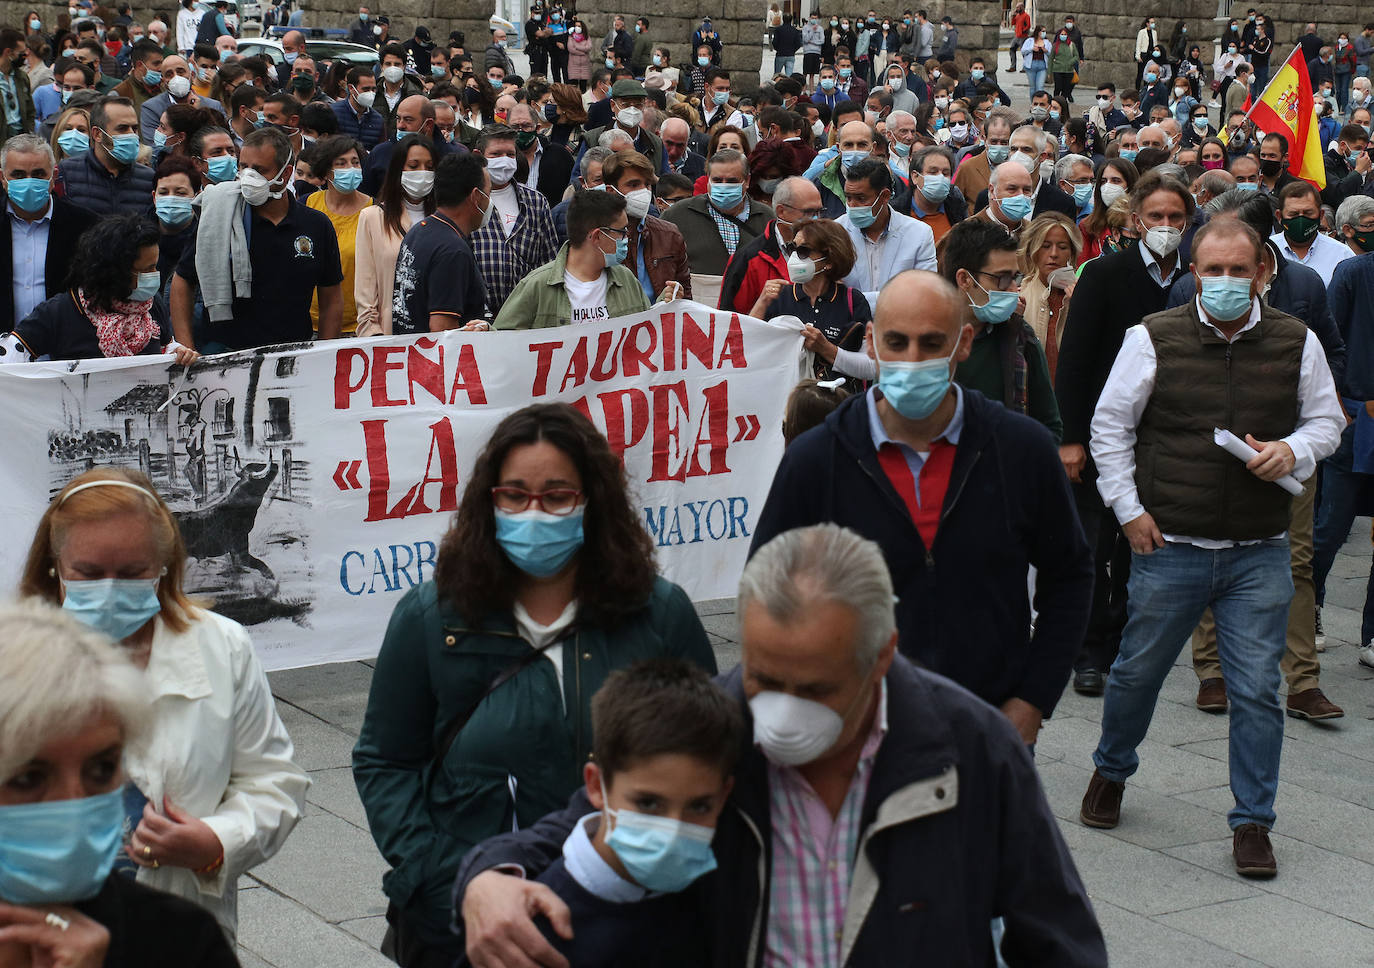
813 859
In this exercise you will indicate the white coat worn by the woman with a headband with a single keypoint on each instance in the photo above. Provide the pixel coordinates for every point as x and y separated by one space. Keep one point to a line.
219 750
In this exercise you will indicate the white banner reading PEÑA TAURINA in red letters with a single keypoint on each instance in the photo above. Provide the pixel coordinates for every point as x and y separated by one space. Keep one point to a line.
314 483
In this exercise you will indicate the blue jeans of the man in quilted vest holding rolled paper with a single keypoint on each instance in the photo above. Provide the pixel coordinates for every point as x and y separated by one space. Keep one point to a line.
1248 590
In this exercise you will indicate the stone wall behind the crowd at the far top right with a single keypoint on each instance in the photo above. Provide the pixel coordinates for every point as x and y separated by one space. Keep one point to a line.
1110 35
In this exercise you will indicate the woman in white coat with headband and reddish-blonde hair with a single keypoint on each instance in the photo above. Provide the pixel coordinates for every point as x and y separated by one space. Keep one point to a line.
214 787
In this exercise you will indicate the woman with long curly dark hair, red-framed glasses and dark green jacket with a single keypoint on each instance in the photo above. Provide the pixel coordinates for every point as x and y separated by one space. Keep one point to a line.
479 716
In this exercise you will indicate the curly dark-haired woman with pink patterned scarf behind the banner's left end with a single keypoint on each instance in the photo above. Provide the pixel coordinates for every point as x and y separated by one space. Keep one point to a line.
111 310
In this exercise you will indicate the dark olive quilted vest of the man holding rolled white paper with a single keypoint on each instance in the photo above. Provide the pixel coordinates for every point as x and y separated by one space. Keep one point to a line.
1188 484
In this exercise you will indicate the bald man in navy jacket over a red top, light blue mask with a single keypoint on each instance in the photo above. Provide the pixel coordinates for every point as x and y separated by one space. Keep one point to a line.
962 495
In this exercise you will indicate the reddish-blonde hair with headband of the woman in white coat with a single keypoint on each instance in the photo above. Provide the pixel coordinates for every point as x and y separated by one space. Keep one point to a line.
74 506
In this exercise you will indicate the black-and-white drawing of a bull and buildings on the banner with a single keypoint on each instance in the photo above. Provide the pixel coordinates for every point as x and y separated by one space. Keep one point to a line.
222 446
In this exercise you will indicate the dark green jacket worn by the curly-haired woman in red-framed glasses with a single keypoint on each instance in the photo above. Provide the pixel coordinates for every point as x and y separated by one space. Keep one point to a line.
432 668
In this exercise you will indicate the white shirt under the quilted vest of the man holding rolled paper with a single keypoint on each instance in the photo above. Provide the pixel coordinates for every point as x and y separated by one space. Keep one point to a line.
1131 384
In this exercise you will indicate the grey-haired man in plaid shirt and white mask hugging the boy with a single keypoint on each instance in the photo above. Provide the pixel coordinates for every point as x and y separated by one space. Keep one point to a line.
862 761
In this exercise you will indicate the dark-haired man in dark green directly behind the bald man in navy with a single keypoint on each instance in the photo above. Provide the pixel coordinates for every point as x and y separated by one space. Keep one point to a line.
1006 362
